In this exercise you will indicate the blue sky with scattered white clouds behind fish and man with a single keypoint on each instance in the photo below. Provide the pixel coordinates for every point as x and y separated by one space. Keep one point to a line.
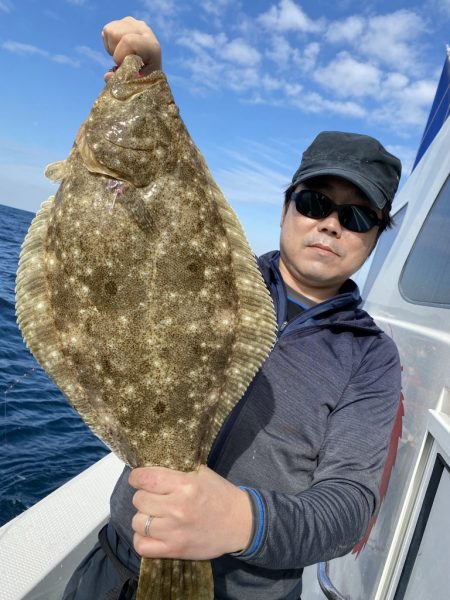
255 82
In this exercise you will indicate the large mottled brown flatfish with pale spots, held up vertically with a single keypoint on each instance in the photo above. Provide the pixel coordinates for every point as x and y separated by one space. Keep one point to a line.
139 295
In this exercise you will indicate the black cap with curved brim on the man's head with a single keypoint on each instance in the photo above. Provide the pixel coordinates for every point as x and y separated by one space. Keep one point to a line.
359 158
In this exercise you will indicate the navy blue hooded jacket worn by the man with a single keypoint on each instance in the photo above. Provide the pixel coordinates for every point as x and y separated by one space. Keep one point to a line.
308 440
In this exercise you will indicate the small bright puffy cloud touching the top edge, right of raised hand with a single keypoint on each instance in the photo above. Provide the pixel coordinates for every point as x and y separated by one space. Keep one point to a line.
288 16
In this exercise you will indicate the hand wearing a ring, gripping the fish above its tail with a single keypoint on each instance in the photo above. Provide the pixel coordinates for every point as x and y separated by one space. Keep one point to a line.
196 516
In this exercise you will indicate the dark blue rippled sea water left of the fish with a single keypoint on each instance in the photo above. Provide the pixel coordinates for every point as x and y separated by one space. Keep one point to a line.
43 441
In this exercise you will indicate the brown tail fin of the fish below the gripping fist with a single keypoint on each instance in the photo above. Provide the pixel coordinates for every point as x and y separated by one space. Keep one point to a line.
167 579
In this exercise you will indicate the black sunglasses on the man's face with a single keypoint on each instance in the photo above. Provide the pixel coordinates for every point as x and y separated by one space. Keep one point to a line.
354 217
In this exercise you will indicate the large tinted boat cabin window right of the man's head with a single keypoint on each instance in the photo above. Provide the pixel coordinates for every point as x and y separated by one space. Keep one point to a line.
425 278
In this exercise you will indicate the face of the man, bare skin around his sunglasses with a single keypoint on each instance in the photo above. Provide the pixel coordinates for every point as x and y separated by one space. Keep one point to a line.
317 256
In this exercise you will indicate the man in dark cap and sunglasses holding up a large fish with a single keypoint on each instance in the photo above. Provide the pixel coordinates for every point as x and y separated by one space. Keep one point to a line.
293 476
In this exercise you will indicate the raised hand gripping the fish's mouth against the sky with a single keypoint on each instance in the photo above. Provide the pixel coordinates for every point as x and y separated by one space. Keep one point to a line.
130 36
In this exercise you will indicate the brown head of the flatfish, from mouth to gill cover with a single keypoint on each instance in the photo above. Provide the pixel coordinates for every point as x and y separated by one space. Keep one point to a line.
130 130
